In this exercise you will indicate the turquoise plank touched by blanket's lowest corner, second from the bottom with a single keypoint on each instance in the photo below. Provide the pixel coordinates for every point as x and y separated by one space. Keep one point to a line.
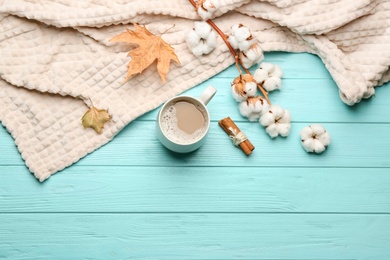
197 189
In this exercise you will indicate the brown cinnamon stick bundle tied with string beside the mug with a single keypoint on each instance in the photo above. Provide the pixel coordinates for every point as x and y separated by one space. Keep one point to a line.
238 137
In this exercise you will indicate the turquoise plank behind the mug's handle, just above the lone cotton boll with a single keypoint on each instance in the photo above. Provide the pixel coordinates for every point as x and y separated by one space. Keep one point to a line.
308 100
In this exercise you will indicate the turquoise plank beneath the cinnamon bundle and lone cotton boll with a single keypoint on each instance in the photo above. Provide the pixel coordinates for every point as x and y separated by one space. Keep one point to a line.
353 145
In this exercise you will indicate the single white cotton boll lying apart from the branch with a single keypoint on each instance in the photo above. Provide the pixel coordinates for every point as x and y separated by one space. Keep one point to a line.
315 138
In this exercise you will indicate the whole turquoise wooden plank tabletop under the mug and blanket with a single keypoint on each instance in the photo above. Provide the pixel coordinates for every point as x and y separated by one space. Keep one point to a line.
134 199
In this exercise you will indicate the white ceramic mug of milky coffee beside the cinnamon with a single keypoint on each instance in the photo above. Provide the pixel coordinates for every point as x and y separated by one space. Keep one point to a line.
180 143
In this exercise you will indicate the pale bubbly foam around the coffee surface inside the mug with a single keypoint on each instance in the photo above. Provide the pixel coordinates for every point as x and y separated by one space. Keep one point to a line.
170 127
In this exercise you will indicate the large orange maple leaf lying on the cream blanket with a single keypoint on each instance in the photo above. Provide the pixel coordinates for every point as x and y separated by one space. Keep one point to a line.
151 48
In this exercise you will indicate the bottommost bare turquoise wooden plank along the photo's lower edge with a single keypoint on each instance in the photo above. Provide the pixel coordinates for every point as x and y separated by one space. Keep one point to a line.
194 236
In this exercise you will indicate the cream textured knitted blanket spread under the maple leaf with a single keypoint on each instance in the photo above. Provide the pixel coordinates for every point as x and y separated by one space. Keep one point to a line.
55 56
